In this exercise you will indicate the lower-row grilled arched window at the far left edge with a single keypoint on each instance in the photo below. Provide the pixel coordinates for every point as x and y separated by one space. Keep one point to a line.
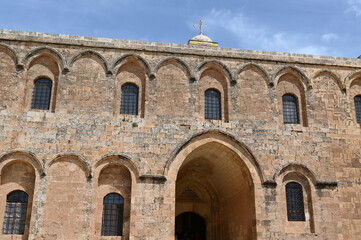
15 212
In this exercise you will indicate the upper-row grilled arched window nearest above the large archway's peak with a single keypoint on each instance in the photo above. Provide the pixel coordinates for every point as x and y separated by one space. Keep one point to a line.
212 108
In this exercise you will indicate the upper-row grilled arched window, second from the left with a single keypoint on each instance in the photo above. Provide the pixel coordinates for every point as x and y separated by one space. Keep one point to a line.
129 102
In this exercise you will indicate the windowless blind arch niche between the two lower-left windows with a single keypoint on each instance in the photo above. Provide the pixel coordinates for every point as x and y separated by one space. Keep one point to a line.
68 174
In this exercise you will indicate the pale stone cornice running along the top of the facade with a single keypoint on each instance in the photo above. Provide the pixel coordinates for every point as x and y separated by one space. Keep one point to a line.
181 49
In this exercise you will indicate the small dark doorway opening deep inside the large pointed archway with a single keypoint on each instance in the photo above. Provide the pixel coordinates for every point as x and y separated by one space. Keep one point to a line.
190 225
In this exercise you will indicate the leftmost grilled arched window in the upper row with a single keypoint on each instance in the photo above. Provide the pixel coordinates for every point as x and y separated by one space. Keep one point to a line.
41 94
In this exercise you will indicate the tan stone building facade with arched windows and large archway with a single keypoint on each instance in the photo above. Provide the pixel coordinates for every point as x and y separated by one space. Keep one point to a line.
224 143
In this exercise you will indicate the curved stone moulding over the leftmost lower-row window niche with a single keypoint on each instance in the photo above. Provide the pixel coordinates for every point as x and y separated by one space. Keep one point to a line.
23 156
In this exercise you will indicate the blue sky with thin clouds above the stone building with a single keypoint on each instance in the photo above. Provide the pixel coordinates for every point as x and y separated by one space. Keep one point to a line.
321 27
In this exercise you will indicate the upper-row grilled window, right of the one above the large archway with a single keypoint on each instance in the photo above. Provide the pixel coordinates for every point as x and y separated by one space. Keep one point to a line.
290 109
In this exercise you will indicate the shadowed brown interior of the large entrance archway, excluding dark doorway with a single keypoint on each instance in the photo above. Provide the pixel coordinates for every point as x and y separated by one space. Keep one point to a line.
215 183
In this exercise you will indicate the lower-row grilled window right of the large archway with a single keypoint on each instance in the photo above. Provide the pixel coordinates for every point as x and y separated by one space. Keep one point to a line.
295 205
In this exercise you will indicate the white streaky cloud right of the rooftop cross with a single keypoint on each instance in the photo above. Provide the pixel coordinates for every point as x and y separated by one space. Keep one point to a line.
260 36
